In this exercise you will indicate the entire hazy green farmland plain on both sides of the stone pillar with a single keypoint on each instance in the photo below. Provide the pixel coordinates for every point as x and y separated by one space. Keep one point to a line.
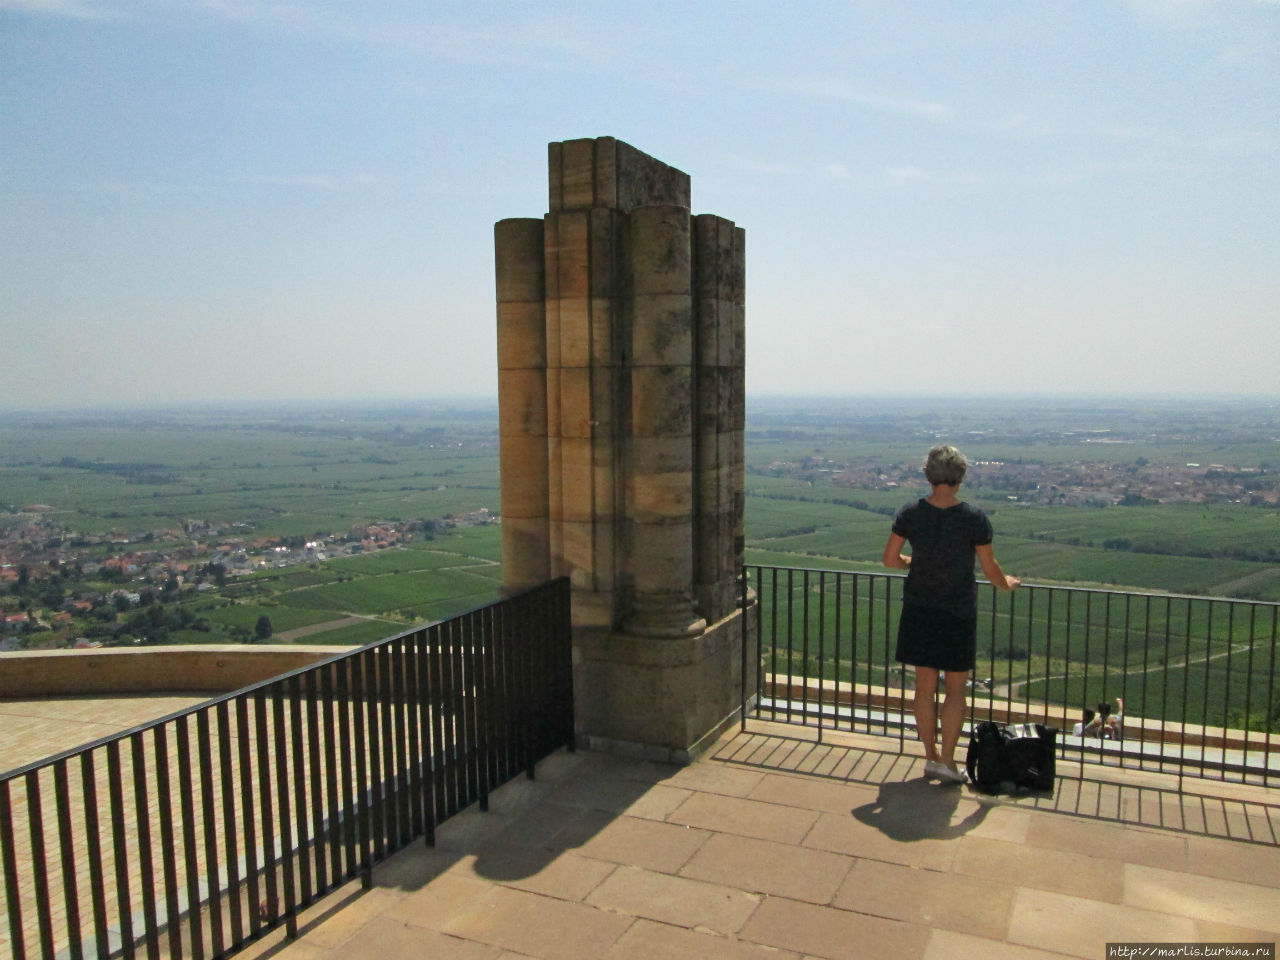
358 523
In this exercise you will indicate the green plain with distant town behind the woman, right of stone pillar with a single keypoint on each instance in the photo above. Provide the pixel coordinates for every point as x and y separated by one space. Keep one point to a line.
1178 499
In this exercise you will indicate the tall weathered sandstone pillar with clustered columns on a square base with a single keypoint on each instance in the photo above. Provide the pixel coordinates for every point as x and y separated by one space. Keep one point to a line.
621 406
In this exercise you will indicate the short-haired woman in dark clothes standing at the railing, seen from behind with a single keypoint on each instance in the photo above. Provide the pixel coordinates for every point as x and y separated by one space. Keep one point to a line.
939 629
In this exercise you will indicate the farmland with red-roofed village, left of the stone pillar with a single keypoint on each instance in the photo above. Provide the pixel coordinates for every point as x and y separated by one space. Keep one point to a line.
336 527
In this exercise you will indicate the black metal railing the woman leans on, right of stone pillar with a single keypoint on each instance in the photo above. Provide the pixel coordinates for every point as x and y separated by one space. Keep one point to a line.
1197 676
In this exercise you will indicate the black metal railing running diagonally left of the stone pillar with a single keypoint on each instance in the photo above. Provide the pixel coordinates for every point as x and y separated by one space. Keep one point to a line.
198 834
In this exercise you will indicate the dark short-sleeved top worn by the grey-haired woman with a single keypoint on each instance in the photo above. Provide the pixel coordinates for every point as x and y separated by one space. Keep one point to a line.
943 555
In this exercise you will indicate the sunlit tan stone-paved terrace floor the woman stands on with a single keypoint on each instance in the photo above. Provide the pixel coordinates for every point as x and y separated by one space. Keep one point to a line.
778 848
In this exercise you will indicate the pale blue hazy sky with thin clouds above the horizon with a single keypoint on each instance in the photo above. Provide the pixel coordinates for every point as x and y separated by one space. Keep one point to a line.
243 200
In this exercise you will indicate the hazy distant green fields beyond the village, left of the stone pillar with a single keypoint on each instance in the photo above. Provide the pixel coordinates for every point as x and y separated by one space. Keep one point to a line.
286 477
